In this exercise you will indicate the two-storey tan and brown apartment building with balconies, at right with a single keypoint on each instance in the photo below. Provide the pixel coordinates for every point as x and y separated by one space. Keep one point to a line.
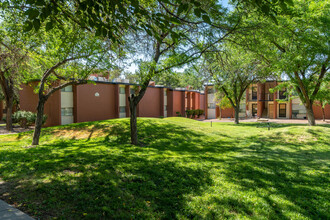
260 102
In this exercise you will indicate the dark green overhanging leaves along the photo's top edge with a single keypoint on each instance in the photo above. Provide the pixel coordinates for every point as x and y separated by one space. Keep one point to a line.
112 19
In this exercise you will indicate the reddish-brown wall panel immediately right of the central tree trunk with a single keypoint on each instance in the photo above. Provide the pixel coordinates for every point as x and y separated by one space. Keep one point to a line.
149 105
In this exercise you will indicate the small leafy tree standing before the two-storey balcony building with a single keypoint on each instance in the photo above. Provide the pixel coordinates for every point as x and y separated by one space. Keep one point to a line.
233 71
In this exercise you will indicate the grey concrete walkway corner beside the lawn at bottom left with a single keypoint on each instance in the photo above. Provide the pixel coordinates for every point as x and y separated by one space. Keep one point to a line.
7 212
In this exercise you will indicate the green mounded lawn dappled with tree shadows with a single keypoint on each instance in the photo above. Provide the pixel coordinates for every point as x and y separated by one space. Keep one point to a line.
184 169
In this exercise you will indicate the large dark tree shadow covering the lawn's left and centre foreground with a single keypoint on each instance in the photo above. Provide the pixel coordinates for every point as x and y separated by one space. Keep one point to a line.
99 184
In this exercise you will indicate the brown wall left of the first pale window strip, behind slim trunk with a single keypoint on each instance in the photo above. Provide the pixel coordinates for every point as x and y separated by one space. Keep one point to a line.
29 102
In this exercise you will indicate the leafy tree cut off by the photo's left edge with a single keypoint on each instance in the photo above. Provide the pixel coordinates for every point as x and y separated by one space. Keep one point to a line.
14 47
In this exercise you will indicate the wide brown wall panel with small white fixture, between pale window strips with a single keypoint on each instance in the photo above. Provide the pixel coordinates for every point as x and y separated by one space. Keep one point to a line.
93 108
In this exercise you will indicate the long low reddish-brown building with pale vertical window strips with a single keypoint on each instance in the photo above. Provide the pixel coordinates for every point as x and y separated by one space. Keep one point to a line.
107 100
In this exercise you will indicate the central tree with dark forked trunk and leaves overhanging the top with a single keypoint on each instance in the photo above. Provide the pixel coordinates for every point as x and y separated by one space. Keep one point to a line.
113 20
